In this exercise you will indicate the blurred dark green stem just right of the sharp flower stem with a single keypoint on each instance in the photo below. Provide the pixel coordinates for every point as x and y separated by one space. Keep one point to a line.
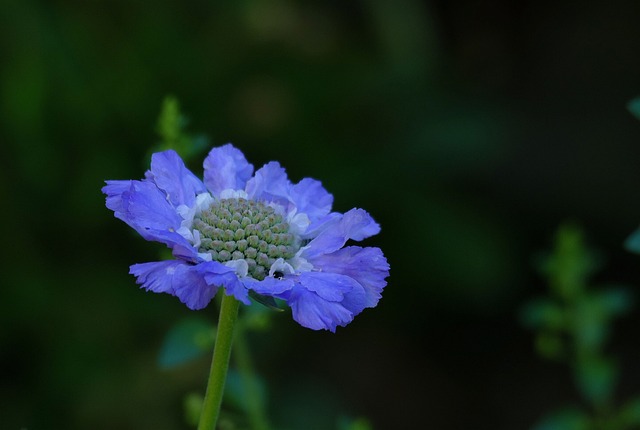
255 406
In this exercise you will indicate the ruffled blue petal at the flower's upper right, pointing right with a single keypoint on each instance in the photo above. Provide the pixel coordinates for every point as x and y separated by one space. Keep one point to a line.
356 224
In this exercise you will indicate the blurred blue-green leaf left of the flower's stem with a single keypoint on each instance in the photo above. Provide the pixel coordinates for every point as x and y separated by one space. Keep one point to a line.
186 341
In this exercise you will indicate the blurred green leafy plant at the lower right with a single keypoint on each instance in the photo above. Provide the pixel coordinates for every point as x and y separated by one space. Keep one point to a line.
572 325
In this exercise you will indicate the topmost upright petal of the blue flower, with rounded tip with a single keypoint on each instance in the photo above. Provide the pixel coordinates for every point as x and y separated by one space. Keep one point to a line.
226 168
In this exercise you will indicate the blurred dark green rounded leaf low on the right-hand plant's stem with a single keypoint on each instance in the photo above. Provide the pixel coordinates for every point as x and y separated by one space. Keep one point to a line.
596 379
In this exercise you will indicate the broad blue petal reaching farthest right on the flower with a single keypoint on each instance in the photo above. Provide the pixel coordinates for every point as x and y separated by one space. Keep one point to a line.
367 266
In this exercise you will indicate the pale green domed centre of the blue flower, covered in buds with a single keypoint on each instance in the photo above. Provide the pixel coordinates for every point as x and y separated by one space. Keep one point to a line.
236 228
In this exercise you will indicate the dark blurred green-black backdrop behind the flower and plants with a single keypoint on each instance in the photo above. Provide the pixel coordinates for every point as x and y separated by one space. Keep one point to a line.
469 130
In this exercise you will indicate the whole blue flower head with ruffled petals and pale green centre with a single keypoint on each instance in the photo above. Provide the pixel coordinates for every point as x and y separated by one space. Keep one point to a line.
247 231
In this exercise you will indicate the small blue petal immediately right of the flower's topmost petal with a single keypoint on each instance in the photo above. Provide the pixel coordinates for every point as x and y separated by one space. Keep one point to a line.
270 183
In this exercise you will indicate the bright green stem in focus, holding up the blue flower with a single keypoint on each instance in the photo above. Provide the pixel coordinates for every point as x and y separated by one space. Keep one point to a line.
220 363
